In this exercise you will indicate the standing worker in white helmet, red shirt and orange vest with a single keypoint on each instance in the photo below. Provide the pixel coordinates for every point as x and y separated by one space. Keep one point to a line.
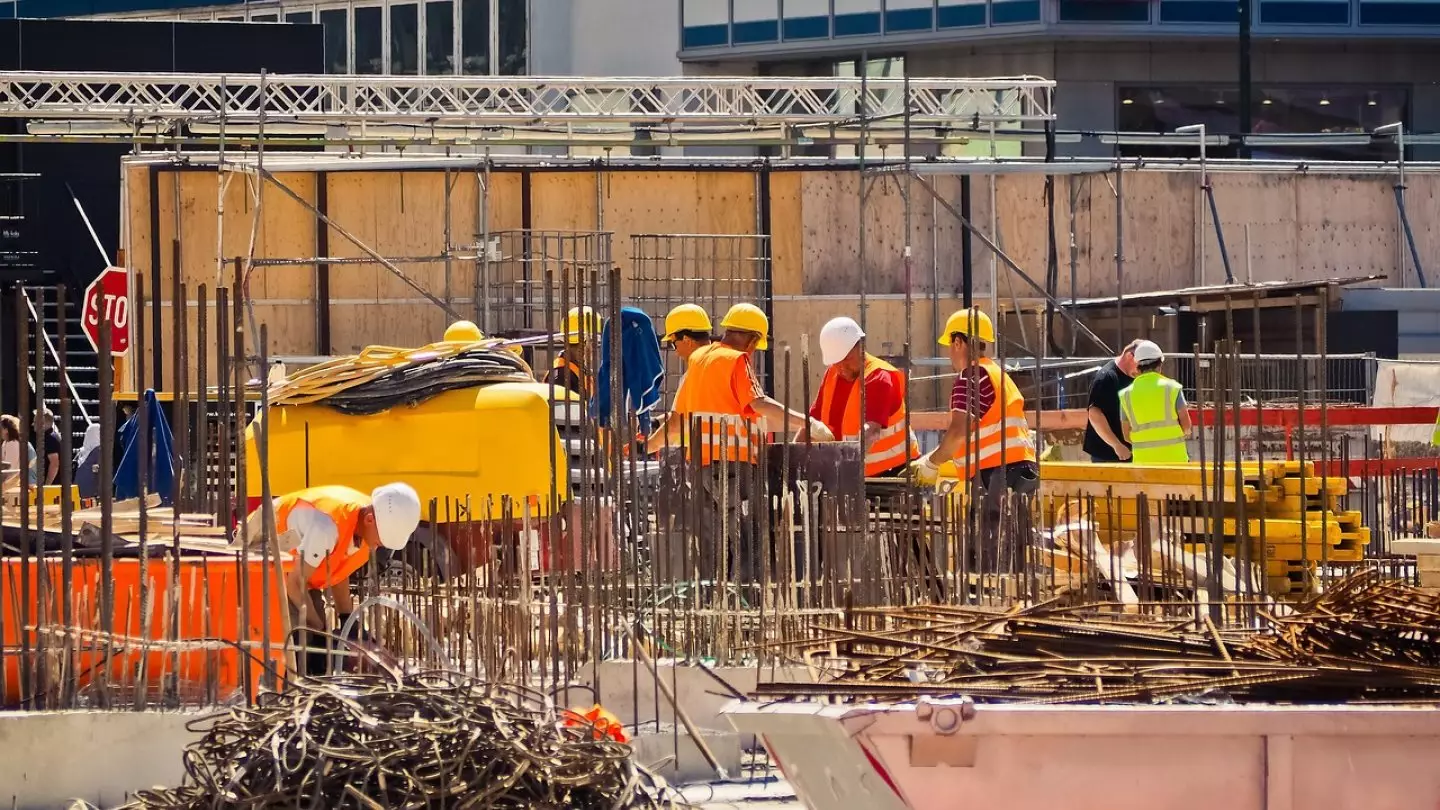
837 404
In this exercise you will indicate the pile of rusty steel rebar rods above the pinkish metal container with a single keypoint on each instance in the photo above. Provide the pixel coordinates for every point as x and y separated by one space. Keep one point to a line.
1369 641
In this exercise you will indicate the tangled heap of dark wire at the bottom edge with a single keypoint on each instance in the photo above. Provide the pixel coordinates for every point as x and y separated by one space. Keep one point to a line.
382 743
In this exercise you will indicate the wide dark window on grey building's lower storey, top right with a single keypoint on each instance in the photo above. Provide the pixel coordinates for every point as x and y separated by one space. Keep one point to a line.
1275 110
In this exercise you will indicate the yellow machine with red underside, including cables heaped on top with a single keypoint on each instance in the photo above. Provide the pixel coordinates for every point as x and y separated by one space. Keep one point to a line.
462 422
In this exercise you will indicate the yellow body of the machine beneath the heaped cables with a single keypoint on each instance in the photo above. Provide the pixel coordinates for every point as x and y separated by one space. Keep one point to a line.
479 443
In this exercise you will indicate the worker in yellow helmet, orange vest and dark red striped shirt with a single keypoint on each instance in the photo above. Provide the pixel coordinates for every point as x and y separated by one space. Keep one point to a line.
989 437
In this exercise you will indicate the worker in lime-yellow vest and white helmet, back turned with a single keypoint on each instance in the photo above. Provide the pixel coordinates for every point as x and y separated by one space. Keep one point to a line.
1157 420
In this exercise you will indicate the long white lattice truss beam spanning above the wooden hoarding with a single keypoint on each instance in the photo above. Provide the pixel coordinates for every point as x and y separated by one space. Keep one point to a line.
572 104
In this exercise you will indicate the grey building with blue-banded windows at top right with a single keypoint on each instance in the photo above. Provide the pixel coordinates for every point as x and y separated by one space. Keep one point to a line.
1318 67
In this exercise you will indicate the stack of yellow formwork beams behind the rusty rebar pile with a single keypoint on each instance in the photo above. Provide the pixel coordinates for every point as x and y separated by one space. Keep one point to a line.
1284 518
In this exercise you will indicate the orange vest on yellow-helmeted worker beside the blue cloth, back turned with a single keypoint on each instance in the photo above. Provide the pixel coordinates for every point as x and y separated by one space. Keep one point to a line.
715 419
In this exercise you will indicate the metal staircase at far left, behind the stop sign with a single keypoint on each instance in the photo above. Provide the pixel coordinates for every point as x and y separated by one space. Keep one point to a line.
80 358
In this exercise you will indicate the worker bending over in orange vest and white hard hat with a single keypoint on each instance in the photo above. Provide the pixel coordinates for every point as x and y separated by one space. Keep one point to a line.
335 530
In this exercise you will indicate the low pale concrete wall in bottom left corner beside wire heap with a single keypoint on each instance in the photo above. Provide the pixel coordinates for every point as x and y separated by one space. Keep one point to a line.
51 759
